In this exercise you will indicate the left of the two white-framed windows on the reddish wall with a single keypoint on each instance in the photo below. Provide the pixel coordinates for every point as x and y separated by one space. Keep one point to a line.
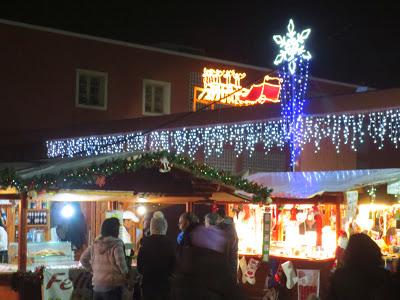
91 89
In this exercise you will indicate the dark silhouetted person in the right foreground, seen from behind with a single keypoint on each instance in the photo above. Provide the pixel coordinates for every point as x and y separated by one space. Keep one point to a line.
362 275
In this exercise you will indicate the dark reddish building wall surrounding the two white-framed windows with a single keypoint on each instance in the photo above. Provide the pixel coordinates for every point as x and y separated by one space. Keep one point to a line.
38 78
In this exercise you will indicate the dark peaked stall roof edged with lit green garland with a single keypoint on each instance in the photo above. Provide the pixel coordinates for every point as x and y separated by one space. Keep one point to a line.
124 177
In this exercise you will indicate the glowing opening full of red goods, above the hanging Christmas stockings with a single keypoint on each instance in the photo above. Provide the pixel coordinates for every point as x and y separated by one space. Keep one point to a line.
302 231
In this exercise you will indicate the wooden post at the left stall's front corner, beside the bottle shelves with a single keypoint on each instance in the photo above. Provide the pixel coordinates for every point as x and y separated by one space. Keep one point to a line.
22 231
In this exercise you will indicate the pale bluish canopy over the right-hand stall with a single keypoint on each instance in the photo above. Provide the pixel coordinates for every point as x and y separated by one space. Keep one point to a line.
305 185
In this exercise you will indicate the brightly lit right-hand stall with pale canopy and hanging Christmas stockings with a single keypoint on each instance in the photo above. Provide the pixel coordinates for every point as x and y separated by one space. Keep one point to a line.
308 212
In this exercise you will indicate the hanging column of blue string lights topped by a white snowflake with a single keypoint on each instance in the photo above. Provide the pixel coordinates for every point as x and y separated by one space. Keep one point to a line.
293 61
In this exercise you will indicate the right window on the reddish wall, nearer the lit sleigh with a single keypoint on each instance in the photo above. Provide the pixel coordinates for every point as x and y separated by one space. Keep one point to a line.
156 97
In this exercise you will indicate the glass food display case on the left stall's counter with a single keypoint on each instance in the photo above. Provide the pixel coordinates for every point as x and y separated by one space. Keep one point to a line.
44 253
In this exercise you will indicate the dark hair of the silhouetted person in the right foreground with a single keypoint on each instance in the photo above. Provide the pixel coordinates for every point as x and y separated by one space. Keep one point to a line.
362 252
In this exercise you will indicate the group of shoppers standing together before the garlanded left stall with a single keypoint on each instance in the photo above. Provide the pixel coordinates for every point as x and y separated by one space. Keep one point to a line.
200 264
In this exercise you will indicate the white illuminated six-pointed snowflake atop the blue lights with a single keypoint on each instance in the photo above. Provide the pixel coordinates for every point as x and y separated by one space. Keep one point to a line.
292 46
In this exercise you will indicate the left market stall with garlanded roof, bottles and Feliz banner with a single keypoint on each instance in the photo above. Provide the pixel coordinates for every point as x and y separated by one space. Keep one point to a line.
103 186
